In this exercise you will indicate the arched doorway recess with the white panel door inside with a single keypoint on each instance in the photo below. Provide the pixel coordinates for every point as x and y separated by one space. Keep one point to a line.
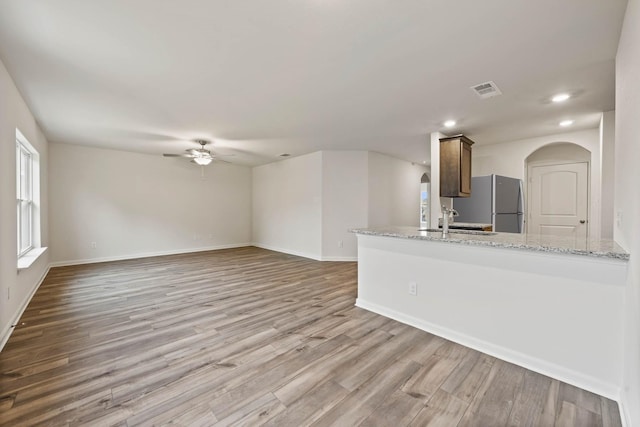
558 191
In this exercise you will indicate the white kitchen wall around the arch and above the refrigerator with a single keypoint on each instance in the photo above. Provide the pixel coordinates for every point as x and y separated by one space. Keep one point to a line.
509 159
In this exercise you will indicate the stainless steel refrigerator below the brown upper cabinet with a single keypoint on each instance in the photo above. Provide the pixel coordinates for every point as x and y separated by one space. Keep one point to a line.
496 200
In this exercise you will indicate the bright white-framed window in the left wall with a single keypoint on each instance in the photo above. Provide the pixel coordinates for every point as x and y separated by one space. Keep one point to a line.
24 181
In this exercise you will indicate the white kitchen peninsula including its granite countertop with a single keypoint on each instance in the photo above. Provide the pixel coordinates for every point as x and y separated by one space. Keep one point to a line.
545 303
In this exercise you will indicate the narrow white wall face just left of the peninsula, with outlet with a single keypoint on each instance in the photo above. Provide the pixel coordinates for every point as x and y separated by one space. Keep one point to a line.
344 202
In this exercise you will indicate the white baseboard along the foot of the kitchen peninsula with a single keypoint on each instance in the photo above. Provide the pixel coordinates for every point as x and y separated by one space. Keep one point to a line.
543 367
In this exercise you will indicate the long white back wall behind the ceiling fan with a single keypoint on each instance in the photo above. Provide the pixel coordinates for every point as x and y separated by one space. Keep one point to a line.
108 204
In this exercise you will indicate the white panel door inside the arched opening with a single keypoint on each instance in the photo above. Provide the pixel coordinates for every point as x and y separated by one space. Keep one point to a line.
558 200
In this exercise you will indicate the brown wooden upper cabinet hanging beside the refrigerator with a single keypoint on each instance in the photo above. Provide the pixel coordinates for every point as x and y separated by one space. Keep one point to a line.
455 166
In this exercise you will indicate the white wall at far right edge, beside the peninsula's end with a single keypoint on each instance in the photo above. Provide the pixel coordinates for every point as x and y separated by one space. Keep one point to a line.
627 198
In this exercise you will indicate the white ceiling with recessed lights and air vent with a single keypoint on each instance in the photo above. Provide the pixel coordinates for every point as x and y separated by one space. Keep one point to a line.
266 77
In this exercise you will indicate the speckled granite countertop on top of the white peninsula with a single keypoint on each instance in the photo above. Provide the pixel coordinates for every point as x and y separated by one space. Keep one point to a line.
533 242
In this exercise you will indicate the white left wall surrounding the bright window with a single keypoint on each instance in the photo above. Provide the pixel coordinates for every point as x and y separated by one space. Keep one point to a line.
16 287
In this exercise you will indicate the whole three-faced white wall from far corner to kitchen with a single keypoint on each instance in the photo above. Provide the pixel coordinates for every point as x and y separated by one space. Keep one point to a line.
306 205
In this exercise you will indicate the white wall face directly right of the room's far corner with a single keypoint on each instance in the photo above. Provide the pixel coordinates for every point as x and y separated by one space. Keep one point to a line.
287 206
